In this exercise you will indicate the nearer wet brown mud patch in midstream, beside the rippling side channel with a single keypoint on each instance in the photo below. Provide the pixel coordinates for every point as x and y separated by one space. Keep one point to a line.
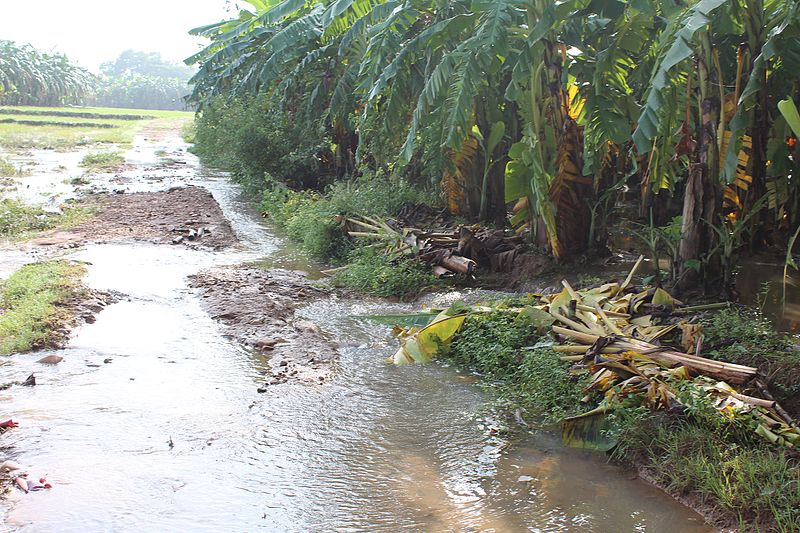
258 308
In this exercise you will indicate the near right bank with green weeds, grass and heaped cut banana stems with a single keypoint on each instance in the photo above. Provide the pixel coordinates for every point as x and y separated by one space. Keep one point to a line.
615 366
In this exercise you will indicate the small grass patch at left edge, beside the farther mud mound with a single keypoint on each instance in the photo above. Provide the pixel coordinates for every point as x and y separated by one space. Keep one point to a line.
20 221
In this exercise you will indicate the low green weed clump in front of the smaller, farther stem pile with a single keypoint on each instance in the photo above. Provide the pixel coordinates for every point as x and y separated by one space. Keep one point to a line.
373 273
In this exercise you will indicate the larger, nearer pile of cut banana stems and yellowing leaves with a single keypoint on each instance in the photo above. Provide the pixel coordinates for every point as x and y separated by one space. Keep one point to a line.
612 332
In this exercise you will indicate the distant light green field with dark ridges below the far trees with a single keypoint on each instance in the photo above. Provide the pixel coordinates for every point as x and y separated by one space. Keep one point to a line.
62 128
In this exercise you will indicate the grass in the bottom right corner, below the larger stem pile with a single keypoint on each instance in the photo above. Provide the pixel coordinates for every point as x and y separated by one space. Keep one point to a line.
727 468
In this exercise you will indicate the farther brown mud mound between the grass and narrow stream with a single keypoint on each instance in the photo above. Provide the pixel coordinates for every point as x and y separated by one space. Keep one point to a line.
186 216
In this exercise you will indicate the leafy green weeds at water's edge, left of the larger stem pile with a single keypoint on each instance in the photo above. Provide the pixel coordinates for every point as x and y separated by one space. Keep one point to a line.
498 346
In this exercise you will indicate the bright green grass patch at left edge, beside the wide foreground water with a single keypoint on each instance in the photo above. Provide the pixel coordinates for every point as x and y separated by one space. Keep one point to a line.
32 304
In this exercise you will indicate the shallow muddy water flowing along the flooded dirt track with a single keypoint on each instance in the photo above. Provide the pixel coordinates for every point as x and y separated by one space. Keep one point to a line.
152 423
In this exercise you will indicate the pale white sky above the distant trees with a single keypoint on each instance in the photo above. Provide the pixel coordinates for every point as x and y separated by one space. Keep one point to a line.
93 31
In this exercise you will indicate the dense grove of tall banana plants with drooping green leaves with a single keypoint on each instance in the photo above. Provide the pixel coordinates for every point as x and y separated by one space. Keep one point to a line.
544 115
